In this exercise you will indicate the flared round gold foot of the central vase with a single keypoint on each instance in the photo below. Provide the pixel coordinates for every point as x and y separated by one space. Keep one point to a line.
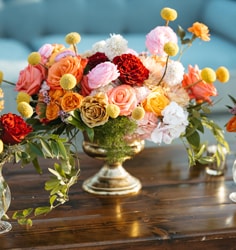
112 182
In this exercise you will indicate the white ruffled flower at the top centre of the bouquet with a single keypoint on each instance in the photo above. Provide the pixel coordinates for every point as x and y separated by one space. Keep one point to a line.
115 46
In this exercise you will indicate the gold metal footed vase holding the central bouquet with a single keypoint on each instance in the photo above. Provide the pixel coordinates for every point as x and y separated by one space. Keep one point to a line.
112 179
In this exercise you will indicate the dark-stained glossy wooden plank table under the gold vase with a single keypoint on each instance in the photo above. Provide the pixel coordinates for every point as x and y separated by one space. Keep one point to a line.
177 208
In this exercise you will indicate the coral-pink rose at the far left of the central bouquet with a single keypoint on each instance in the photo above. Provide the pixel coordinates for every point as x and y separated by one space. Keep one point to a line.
30 79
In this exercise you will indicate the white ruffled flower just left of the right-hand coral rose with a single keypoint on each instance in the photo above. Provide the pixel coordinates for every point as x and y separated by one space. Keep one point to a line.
174 73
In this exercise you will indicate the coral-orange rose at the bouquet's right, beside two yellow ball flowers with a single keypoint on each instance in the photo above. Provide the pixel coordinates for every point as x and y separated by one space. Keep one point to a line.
197 88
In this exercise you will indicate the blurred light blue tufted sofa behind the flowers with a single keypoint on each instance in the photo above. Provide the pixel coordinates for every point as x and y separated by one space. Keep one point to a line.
25 25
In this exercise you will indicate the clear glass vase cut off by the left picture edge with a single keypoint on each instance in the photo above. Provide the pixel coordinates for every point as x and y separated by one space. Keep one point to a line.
5 200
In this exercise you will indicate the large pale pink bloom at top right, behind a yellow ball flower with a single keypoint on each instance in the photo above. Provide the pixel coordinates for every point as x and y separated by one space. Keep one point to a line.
156 39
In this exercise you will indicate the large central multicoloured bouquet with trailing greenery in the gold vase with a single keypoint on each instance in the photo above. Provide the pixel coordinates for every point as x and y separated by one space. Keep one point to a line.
115 95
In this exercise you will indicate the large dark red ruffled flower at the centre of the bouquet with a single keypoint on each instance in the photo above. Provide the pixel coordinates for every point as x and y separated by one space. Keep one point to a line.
132 71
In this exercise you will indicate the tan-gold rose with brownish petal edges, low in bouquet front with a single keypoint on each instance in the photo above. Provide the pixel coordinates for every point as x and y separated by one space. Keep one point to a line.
93 110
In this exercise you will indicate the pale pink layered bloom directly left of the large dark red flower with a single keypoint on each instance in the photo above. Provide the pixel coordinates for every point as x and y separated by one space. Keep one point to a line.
102 74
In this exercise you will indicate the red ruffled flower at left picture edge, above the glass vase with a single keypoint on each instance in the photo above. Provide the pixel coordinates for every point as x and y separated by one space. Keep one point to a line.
13 129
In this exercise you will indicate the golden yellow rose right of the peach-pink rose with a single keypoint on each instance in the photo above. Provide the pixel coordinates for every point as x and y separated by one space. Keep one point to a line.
156 101
